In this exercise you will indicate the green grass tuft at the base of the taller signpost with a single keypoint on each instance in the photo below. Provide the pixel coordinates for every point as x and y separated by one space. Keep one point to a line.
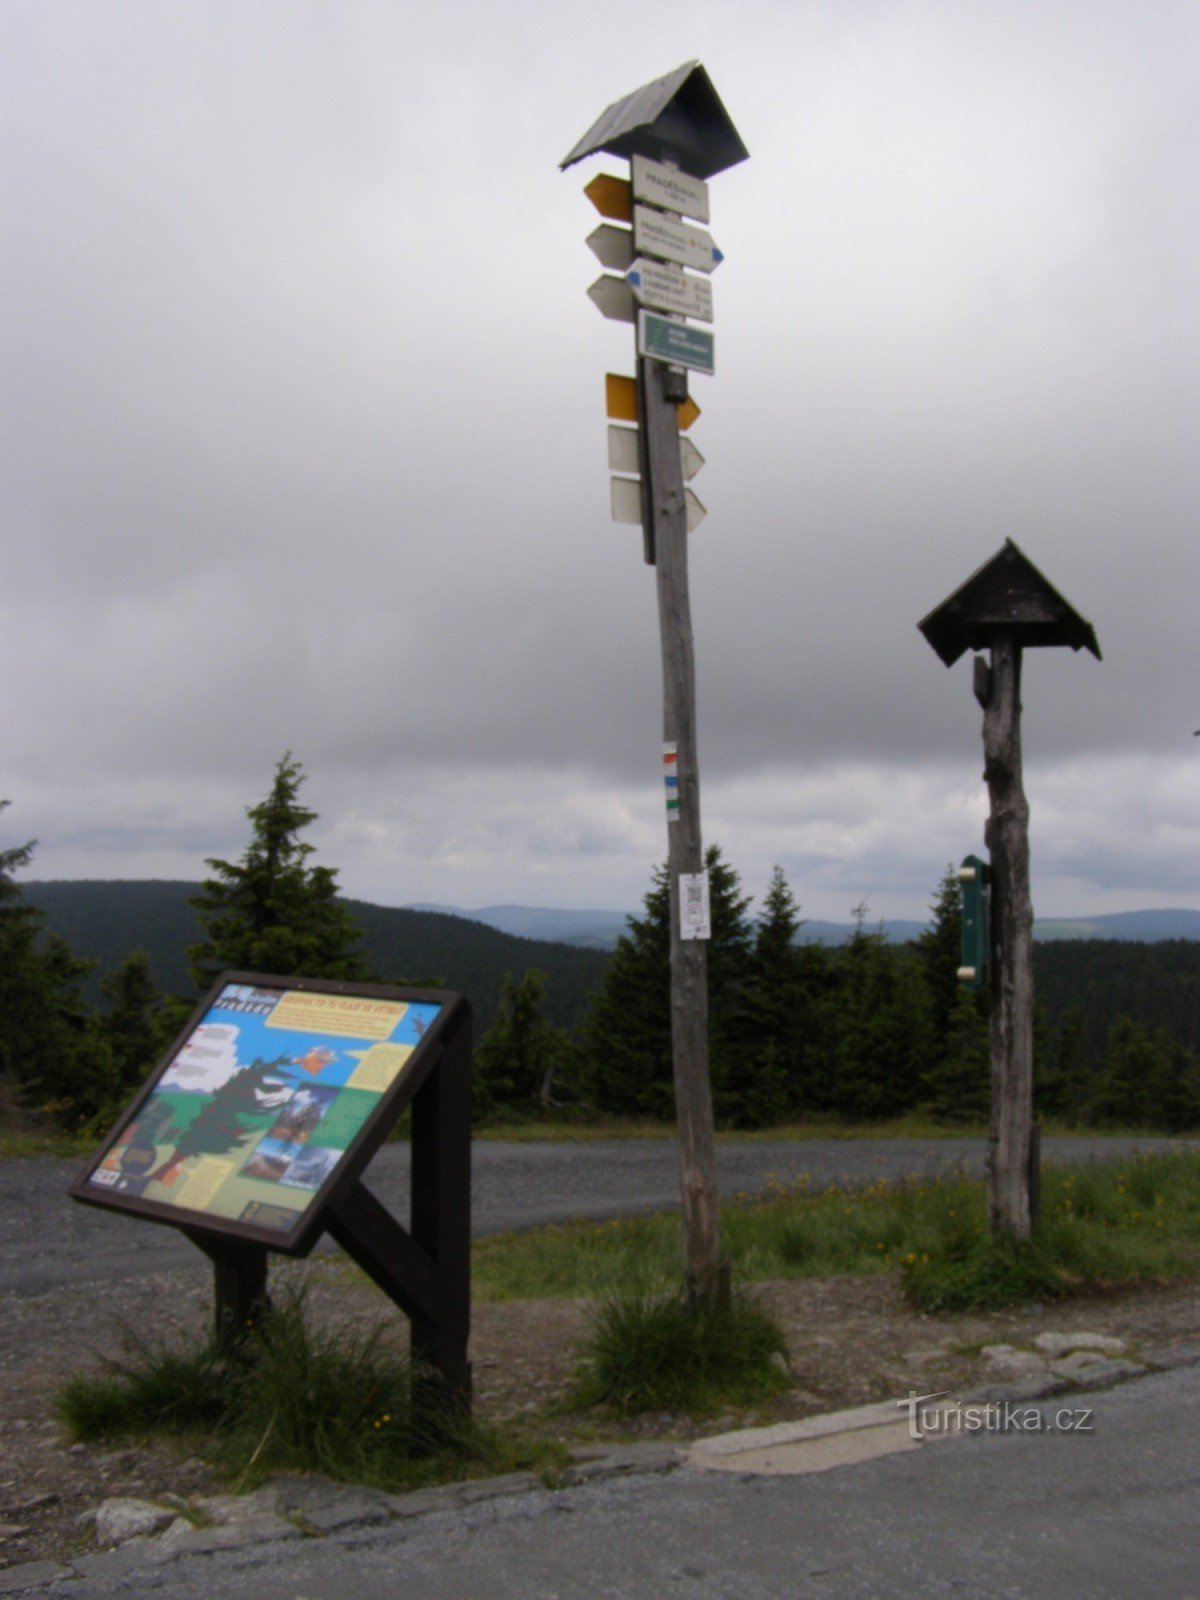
657 1353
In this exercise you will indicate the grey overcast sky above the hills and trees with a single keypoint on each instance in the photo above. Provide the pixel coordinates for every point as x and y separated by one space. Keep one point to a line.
305 442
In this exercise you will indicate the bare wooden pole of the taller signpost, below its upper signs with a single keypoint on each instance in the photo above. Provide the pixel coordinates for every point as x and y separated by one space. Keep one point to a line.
708 1279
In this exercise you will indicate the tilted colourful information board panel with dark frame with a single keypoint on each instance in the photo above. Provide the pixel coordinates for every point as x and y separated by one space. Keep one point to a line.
274 1094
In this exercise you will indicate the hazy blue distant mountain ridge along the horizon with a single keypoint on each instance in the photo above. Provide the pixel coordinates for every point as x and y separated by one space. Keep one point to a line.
601 929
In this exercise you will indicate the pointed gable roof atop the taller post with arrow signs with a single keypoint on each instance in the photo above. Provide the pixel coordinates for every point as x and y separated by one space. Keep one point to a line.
674 119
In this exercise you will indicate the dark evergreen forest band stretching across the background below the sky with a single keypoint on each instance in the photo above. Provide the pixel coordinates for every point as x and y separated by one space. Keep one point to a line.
95 978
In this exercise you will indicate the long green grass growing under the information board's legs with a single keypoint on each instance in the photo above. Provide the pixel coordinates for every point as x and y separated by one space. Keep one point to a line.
332 1401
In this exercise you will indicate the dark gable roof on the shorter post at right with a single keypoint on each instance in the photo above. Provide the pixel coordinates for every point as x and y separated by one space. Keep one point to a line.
1009 594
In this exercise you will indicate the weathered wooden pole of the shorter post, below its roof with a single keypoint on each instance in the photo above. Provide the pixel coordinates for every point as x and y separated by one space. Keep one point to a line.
1010 1207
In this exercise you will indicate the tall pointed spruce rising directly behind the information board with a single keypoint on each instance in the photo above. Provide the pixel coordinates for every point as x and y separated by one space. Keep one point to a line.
273 913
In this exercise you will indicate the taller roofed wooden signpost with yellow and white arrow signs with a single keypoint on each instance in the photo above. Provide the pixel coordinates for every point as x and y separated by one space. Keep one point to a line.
676 135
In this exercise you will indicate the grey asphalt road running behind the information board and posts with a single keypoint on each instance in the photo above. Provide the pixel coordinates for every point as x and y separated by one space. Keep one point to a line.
47 1241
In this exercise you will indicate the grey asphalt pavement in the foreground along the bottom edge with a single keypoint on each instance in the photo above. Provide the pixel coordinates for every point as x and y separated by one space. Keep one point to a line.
1106 1514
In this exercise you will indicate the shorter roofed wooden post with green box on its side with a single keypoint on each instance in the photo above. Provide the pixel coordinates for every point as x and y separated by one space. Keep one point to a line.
1006 609
